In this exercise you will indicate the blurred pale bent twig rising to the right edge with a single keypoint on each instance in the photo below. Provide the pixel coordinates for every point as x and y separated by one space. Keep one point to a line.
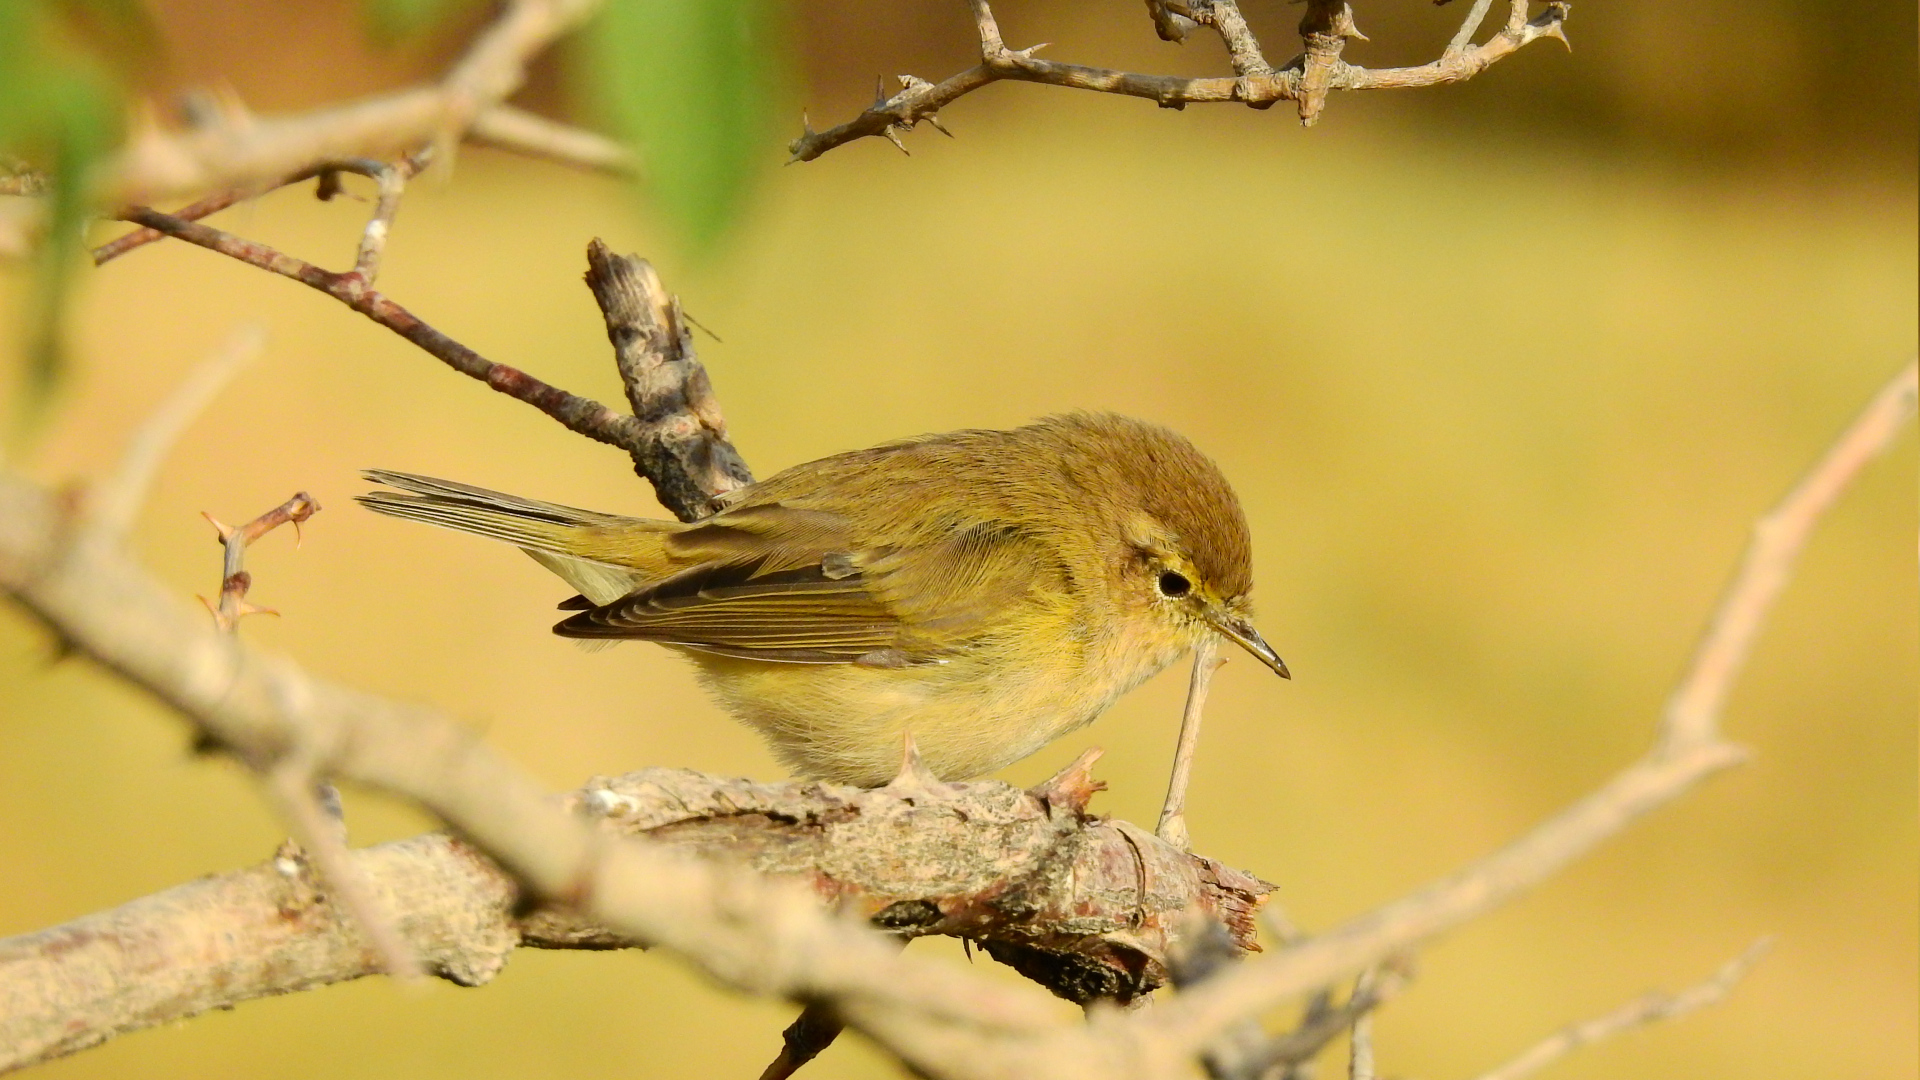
1687 752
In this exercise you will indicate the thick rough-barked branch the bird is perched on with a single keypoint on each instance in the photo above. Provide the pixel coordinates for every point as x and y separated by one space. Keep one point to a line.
907 864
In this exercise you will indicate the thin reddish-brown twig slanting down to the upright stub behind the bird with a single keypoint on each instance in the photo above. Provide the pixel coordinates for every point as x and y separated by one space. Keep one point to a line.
581 416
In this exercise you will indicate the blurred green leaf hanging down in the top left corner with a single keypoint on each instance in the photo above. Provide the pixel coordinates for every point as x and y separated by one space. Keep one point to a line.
59 114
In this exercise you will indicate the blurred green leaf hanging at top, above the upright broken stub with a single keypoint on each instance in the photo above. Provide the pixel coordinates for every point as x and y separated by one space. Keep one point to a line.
694 86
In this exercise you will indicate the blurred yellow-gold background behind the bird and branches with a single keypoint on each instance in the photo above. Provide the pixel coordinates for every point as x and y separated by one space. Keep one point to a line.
1502 372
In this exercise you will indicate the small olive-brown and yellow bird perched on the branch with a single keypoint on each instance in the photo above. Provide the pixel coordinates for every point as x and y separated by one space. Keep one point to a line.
980 591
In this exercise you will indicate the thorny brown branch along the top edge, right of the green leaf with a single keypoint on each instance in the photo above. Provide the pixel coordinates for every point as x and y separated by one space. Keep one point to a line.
1324 32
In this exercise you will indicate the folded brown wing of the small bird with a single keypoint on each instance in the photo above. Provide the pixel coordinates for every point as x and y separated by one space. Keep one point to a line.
792 585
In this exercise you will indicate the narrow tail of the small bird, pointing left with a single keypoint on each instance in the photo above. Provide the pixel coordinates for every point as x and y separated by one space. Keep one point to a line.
602 554
